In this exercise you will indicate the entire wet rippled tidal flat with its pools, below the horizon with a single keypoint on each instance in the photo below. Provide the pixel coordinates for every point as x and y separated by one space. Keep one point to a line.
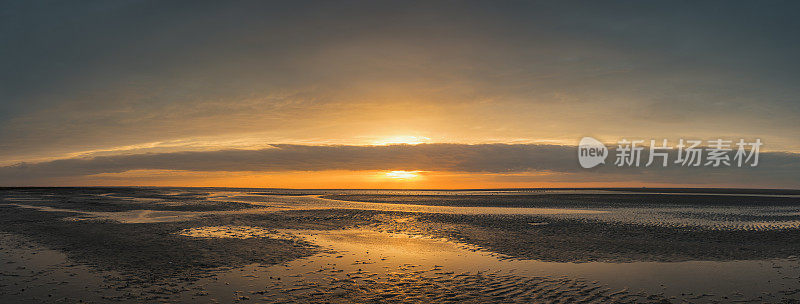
250 245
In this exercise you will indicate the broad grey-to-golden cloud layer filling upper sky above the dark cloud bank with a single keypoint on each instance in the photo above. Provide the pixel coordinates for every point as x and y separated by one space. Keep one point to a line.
98 74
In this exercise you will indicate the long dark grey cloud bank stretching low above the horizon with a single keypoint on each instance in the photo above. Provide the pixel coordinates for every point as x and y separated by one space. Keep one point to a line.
776 169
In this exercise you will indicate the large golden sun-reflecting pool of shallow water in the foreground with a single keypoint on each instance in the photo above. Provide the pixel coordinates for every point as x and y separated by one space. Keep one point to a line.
378 255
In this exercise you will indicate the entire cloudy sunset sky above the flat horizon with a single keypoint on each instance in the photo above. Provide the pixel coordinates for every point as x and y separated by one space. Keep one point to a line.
390 94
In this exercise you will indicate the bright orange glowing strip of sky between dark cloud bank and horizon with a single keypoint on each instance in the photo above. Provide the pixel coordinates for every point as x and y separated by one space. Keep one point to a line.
343 179
